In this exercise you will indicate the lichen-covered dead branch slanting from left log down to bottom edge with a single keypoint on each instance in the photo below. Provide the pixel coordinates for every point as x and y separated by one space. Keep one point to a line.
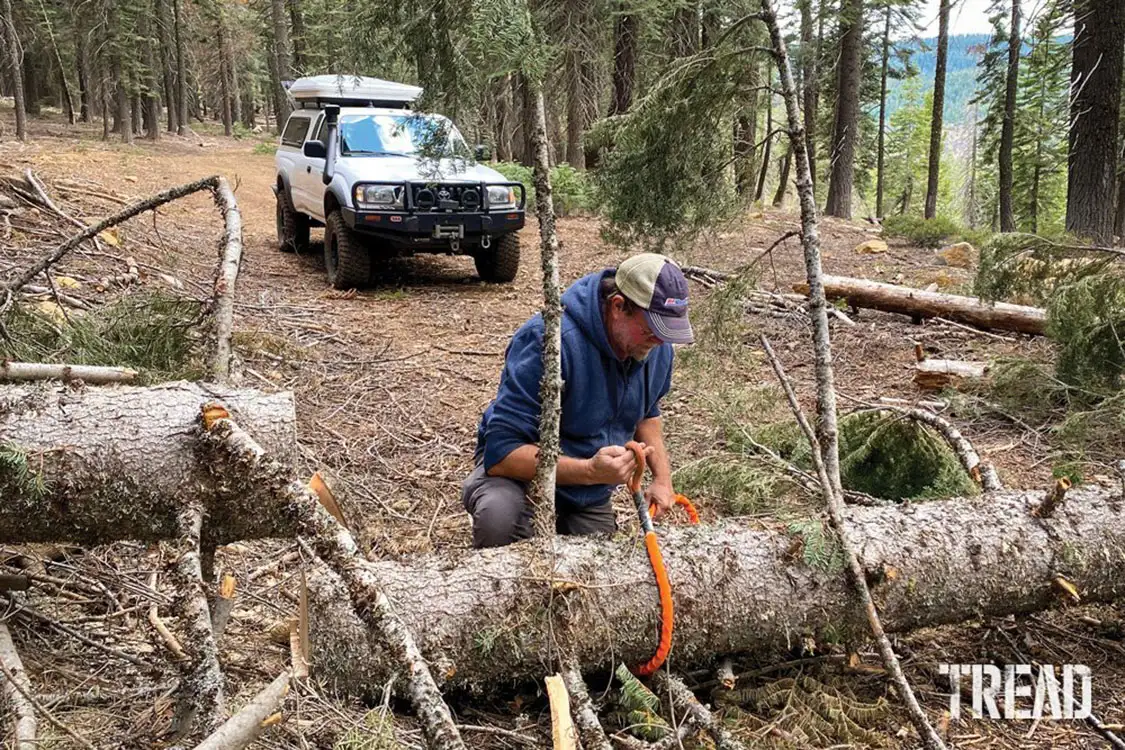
336 546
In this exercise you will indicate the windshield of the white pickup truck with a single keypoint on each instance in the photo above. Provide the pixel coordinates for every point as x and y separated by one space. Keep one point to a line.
401 135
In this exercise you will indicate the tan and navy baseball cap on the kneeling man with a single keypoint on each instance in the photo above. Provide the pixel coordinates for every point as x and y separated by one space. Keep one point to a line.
658 285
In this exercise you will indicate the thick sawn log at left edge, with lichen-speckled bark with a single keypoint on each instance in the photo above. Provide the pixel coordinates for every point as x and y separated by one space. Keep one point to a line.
102 465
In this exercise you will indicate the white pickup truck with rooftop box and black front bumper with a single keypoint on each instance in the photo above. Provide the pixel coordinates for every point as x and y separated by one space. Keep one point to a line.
384 180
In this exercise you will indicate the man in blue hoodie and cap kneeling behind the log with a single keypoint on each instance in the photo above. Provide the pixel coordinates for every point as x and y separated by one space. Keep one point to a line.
618 330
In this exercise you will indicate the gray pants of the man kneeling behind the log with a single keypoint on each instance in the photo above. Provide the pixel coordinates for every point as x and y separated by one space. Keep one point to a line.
502 516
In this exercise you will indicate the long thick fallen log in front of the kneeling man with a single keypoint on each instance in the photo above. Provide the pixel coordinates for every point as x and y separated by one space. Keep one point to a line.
482 618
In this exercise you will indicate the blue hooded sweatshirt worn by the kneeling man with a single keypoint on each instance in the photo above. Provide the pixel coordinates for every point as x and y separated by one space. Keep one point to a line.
604 399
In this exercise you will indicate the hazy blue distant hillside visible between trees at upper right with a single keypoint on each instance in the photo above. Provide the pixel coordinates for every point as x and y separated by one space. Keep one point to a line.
966 51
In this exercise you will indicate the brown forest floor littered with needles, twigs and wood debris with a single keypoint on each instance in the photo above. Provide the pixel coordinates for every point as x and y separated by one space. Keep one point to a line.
391 382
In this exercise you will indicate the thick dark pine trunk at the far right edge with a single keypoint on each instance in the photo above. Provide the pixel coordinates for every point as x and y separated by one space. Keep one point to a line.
1096 83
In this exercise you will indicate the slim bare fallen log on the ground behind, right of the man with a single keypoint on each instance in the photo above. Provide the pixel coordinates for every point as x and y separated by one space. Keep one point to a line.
920 304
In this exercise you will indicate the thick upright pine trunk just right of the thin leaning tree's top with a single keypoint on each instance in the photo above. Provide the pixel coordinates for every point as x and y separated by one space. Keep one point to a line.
845 137
